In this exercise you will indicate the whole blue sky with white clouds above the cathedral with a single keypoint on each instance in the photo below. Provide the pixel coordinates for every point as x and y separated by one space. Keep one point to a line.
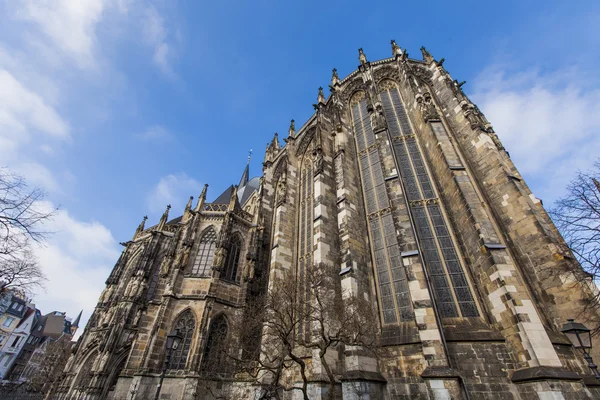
120 107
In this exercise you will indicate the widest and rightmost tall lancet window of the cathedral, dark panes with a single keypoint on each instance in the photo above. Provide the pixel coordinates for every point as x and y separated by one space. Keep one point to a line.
452 291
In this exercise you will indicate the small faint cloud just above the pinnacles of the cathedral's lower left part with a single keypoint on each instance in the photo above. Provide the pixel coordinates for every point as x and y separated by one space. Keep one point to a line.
172 189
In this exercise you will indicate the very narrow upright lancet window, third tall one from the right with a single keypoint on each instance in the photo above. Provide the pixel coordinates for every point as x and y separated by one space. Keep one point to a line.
305 245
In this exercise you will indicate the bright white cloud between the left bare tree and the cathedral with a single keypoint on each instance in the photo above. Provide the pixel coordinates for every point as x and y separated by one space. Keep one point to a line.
76 260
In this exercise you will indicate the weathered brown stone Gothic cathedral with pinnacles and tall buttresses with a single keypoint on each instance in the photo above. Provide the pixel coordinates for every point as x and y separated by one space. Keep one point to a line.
400 181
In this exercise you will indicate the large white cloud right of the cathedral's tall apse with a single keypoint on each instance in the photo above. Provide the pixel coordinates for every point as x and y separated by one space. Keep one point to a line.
549 122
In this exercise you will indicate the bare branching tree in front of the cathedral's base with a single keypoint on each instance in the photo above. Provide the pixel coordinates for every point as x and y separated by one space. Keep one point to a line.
279 332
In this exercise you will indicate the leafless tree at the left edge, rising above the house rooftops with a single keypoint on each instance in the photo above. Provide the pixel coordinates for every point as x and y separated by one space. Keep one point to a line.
21 218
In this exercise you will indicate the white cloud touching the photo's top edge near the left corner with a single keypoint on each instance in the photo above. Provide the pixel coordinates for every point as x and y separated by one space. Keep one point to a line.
71 25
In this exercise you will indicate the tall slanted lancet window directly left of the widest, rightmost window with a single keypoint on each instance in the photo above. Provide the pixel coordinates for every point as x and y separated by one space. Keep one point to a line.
390 275
